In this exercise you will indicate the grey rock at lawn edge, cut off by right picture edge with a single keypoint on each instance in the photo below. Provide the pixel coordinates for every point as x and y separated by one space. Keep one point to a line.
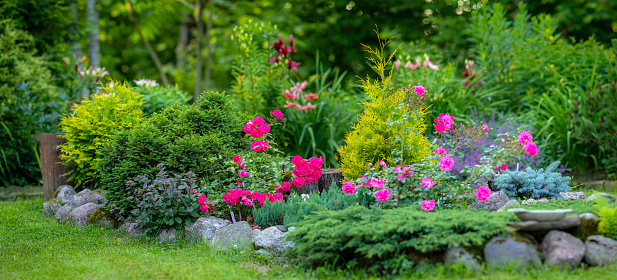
600 250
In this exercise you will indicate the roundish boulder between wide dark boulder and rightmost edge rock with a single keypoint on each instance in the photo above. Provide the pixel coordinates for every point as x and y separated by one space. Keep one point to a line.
562 249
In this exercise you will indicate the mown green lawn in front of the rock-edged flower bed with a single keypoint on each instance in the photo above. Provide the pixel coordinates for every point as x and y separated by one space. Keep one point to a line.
33 247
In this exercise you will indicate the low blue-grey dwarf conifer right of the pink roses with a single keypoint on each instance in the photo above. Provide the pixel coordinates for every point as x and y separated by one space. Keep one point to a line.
533 184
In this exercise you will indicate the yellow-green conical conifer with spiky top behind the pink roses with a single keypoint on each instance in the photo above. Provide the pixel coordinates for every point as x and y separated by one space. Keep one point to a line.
388 123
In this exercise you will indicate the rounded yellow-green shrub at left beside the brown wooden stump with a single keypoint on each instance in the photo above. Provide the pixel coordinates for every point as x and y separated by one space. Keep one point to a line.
92 123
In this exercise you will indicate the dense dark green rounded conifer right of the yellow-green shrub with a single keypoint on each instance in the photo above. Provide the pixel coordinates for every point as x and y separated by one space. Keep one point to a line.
181 137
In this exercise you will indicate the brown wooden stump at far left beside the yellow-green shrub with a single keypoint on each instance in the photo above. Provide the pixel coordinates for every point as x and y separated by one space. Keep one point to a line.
51 168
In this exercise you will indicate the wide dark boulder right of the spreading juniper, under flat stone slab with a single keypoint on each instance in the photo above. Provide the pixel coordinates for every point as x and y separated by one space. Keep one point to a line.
513 247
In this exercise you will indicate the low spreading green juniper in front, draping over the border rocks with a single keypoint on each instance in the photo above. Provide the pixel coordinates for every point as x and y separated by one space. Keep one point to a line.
385 241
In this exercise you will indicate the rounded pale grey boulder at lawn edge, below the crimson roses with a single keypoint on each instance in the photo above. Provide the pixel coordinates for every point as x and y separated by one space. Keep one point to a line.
234 236
